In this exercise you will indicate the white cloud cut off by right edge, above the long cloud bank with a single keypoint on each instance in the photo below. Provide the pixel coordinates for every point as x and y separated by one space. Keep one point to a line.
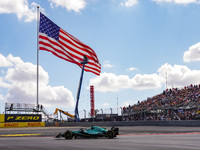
193 54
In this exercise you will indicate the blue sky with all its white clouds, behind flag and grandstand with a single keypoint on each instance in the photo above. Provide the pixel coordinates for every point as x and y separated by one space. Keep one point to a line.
141 44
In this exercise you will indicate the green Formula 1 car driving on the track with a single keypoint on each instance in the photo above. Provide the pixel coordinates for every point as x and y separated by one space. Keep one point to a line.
93 132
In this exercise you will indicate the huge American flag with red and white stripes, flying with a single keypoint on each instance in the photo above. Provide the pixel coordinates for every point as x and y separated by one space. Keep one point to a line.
54 39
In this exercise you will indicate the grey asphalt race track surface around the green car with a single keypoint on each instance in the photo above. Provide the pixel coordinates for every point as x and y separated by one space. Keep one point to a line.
134 137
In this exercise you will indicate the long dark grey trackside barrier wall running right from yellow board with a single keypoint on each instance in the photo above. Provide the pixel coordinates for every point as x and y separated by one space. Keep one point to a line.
181 123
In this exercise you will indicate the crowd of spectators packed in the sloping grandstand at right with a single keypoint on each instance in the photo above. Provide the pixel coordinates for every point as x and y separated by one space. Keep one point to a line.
171 104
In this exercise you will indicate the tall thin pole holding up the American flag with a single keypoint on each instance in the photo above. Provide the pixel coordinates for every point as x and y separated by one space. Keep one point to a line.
37 102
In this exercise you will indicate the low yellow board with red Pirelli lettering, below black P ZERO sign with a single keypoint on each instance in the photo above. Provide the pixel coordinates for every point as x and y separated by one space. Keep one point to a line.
22 124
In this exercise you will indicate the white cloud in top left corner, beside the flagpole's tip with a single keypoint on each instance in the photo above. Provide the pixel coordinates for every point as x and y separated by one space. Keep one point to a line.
21 8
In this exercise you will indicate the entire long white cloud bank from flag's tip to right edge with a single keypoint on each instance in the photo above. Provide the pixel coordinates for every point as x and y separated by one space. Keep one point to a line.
176 76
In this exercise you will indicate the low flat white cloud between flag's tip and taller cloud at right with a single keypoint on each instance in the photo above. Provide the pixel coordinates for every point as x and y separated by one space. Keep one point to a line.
111 82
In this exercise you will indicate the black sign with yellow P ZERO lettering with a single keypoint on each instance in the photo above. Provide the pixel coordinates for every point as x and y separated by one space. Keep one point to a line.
22 118
